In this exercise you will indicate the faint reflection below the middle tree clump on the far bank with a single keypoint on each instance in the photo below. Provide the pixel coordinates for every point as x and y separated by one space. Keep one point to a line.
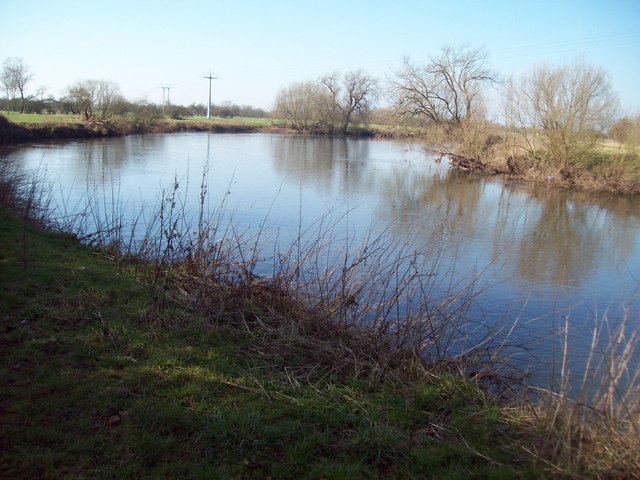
324 161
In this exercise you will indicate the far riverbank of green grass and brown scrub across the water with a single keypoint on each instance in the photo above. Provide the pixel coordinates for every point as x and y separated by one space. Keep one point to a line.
614 168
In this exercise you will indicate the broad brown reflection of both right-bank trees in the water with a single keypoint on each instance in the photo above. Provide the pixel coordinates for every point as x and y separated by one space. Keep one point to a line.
547 235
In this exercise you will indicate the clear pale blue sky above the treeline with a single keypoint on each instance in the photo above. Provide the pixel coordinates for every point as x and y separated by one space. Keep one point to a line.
255 48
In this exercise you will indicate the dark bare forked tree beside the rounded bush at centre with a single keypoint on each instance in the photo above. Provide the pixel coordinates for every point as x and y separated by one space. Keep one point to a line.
352 96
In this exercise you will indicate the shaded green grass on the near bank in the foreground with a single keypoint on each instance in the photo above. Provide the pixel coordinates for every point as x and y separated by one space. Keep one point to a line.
97 382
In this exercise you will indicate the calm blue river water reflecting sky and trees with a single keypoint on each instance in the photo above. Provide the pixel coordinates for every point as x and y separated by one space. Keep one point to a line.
545 255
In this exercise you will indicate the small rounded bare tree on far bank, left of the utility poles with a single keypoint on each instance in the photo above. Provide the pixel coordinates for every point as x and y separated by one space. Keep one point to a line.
94 99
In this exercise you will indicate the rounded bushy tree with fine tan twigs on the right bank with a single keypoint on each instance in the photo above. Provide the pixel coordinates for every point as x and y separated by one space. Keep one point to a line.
570 106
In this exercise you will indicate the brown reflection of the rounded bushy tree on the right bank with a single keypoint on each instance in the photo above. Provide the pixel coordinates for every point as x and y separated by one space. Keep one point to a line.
559 237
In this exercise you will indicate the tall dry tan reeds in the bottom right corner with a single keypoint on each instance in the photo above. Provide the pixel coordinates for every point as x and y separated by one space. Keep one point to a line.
590 426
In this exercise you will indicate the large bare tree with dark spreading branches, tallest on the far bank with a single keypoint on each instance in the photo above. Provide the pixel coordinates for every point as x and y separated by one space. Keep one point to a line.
446 90
